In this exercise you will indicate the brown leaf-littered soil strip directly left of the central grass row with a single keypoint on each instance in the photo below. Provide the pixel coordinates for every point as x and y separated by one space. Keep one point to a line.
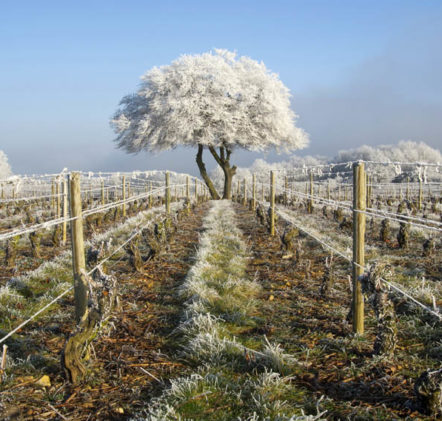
131 361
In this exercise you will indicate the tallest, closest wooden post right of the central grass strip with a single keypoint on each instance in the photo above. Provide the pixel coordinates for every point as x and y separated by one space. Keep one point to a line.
359 204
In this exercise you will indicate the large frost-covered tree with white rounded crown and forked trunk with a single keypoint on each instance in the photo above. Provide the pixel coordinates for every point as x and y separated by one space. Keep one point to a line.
215 101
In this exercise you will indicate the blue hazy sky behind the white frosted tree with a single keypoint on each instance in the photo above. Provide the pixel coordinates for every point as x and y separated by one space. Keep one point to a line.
360 71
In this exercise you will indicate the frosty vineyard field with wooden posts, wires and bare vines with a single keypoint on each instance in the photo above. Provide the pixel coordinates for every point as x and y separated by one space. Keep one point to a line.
315 293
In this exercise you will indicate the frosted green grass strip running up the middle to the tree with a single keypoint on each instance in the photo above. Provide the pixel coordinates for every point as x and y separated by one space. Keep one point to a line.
234 376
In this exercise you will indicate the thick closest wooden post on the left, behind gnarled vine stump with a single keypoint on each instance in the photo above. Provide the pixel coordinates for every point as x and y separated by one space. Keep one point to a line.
78 258
